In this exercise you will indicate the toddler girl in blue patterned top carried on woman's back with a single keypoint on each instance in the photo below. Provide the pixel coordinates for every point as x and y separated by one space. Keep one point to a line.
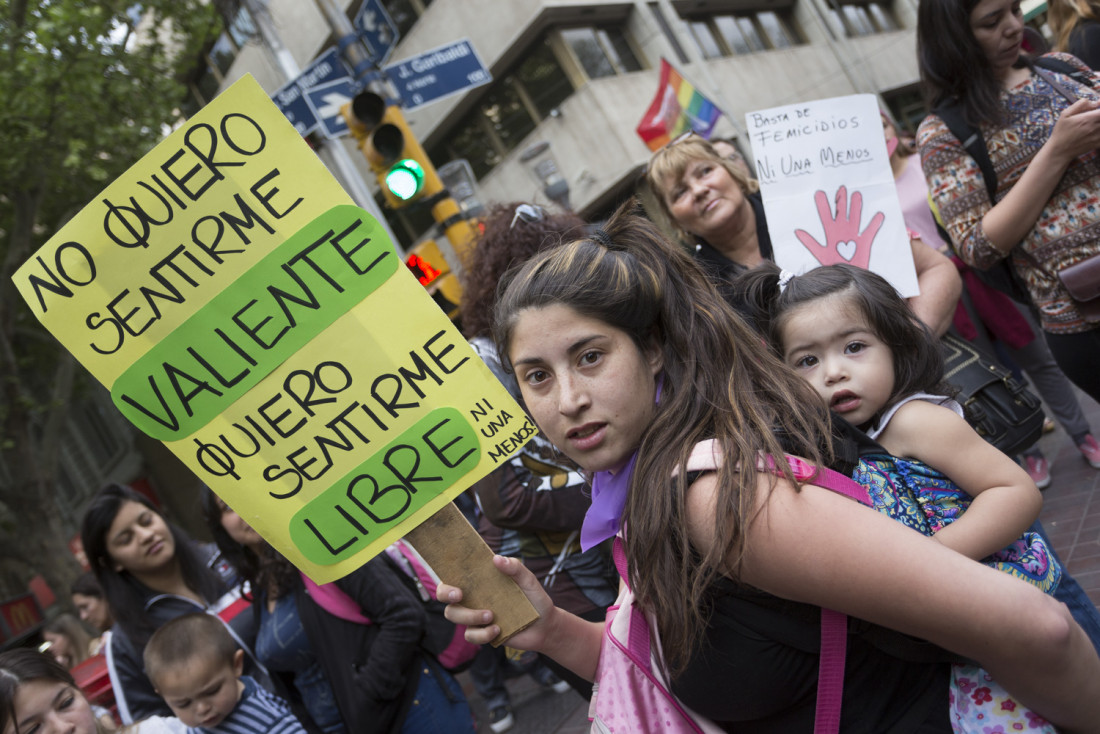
856 342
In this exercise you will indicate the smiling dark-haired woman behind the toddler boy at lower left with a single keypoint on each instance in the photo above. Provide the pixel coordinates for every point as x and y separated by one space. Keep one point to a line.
152 573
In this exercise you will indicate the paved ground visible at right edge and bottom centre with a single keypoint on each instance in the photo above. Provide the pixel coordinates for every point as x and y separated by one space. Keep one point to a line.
1071 517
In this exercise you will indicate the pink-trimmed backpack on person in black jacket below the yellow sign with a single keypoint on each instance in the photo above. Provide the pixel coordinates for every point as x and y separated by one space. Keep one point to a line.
444 639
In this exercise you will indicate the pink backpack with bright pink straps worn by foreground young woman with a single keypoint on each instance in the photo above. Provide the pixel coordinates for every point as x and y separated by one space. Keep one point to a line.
632 695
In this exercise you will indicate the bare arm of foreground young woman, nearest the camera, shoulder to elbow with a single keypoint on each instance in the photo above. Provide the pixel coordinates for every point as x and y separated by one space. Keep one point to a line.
816 546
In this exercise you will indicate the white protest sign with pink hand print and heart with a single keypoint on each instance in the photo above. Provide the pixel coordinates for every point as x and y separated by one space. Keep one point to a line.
829 192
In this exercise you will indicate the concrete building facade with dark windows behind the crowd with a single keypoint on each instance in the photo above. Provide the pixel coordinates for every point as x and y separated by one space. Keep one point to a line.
580 74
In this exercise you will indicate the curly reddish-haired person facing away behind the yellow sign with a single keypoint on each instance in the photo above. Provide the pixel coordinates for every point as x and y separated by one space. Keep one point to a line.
532 508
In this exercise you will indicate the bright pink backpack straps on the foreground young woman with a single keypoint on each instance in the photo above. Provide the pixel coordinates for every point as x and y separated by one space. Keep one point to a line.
706 457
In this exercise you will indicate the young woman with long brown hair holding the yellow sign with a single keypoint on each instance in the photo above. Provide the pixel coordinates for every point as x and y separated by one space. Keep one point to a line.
733 565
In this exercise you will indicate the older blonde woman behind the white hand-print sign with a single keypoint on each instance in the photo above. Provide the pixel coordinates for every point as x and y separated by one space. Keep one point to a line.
714 203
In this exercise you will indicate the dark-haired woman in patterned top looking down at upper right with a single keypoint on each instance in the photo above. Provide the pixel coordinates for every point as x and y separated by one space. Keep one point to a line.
1025 188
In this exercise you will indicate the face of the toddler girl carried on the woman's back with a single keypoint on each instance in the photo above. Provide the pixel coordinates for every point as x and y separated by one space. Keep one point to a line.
831 345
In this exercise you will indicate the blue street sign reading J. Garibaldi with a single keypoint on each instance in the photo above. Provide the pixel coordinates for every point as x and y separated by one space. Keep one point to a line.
438 73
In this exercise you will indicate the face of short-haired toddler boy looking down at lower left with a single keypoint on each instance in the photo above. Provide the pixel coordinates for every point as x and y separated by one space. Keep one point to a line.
204 692
